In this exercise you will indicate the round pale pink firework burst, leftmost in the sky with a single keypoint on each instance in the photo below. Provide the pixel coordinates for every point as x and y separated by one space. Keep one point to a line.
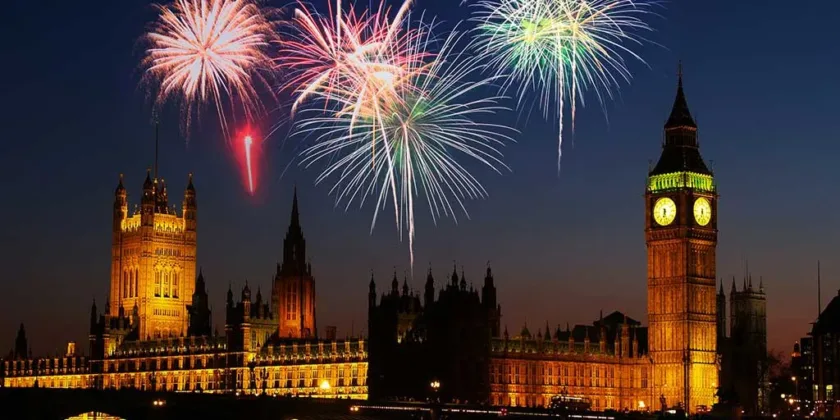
206 50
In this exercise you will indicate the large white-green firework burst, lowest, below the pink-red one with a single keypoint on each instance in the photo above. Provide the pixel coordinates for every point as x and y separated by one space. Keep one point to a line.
438 119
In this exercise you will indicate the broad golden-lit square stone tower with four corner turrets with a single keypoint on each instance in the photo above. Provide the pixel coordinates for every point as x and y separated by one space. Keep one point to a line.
153 259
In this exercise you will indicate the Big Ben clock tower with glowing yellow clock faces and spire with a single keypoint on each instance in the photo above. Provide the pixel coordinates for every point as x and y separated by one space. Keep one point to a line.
681 235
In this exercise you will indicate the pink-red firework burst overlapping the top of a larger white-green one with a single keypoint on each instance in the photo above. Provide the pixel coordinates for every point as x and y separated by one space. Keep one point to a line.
356 61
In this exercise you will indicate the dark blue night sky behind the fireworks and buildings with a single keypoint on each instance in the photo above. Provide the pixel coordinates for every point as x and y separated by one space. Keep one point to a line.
760 79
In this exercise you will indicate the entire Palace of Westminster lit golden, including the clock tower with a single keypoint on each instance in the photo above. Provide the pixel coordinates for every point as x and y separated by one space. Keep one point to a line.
155 331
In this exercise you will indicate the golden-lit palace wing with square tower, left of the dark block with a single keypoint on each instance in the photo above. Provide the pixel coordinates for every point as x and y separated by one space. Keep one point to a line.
258 353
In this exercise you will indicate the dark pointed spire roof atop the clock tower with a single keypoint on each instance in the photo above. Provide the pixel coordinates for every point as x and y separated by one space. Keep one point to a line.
680 150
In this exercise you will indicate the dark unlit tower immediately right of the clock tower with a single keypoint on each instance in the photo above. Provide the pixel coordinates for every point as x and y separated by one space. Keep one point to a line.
744 375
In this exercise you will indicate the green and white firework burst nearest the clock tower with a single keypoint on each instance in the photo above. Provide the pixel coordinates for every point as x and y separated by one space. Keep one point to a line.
561 48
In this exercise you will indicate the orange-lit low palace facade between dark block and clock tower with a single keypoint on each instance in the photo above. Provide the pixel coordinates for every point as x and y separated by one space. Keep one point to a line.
605 362
